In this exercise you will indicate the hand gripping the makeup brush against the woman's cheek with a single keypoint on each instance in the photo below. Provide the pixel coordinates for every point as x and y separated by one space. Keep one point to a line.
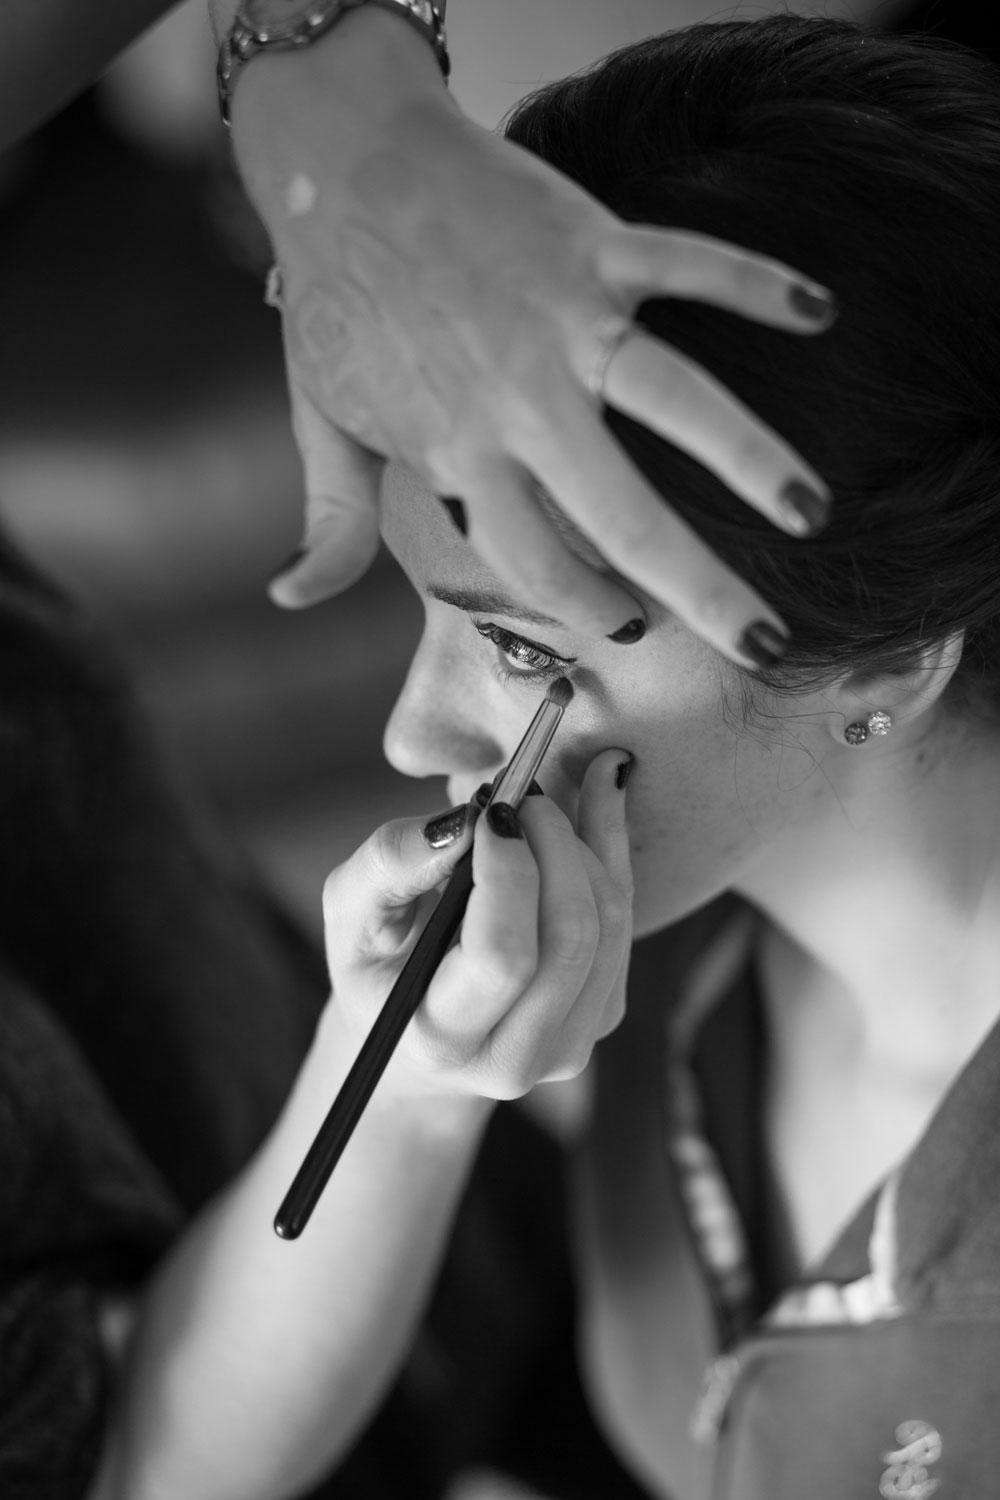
539 974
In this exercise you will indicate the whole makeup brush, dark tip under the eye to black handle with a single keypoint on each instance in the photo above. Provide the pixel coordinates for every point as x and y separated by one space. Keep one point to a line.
412 986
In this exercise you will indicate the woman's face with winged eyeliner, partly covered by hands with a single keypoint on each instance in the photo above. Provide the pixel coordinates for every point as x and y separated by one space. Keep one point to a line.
708 799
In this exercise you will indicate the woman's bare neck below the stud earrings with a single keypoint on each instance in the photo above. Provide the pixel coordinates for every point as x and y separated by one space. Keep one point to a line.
885 907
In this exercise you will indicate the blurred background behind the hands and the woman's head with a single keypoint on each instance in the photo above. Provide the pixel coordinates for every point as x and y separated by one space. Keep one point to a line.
146 457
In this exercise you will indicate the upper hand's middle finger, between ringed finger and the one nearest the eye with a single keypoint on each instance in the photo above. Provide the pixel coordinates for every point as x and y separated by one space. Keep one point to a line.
603 493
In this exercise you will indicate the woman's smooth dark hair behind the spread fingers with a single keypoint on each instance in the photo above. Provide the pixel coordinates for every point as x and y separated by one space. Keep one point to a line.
873 164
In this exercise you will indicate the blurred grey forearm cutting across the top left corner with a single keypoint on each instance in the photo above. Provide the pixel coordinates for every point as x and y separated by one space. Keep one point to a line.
53 49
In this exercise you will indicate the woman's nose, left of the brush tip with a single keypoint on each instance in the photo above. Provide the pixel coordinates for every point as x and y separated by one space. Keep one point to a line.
440 722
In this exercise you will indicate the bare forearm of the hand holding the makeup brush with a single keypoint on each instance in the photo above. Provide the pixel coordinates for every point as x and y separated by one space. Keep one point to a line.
256 1361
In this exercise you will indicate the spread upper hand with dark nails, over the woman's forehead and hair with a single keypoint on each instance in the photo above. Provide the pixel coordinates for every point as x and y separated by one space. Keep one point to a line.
455 304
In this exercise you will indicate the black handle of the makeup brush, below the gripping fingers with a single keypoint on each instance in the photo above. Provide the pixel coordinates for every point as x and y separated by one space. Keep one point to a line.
379 1048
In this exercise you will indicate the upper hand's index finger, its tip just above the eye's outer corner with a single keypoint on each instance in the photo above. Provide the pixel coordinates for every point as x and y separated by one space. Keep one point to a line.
522 547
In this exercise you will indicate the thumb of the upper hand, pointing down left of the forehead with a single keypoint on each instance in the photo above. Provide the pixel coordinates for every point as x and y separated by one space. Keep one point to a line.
343 488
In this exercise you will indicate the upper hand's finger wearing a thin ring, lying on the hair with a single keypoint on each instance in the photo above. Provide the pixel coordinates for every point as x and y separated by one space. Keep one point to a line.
683 403
